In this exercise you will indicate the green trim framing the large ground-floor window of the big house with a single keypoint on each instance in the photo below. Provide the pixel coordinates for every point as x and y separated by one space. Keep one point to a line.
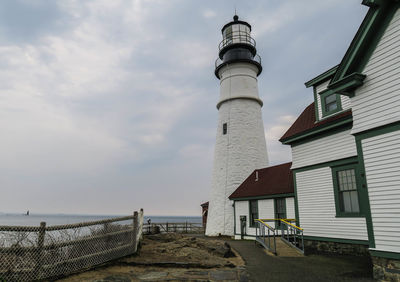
336 188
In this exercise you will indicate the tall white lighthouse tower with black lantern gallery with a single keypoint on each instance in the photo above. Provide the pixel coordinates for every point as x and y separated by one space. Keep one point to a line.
240 146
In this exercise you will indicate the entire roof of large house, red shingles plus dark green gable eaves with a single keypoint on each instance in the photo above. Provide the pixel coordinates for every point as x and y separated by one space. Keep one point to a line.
347 75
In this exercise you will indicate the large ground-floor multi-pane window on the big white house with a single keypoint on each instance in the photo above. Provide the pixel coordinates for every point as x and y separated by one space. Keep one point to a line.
346 190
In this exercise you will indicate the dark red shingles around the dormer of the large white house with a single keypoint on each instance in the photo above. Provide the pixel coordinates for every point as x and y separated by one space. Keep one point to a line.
306 122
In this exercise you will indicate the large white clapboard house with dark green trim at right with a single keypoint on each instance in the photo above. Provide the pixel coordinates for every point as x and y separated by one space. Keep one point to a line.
346 147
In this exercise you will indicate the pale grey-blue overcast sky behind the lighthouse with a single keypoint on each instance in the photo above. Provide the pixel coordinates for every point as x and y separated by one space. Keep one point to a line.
109 106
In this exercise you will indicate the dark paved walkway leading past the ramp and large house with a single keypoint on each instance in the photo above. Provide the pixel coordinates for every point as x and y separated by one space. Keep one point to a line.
262 267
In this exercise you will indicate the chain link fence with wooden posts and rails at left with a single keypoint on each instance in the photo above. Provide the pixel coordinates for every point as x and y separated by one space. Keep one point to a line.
32 253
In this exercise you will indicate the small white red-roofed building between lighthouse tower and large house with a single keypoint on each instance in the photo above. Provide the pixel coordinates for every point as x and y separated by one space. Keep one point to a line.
268 193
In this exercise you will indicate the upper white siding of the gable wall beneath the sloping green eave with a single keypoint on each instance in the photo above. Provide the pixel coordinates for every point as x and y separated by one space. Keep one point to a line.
377 102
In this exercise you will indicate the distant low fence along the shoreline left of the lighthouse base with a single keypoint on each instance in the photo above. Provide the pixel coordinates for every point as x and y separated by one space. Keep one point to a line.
176 227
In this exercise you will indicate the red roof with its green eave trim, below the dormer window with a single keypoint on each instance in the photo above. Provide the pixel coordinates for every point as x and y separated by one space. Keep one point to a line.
306 125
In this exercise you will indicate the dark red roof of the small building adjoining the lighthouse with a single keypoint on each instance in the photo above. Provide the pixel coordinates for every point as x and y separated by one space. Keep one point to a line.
271 181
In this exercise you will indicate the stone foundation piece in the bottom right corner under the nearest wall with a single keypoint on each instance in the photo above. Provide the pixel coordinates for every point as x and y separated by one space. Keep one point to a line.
386 269
